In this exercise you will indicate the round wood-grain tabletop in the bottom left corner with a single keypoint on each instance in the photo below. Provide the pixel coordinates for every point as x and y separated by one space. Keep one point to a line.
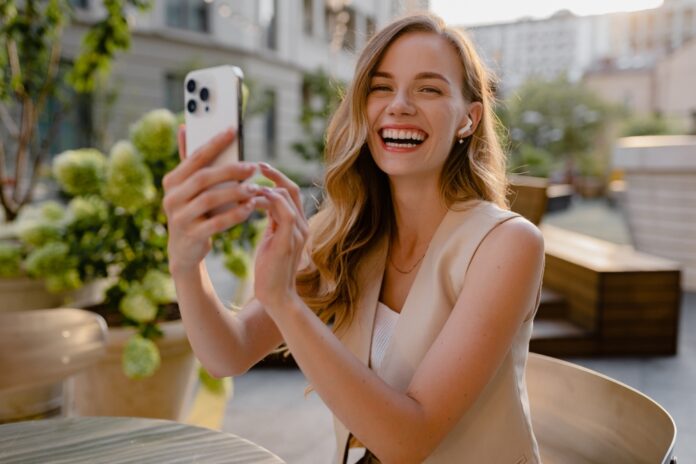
122 440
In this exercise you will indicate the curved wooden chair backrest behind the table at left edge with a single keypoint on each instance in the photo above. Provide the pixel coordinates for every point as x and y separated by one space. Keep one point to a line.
39 349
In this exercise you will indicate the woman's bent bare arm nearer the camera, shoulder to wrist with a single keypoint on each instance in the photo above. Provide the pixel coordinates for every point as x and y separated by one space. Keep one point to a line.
407 427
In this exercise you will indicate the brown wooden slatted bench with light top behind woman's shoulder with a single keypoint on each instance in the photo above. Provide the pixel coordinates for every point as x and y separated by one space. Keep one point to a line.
618 301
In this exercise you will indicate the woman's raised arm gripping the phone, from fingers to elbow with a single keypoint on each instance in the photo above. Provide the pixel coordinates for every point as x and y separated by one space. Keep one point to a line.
226 343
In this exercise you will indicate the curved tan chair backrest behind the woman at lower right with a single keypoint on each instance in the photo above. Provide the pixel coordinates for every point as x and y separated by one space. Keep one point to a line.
581 416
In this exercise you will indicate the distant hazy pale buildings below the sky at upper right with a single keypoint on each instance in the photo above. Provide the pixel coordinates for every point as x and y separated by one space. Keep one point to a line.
573 45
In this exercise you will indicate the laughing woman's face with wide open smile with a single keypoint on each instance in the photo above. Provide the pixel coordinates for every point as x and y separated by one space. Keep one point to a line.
415 105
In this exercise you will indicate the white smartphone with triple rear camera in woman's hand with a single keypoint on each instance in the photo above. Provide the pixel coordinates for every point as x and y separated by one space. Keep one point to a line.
213 103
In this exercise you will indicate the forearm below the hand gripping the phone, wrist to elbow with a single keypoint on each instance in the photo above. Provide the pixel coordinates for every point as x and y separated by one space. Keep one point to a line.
215 333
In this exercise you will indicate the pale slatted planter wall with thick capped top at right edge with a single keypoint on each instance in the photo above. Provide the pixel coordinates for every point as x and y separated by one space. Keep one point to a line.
660 197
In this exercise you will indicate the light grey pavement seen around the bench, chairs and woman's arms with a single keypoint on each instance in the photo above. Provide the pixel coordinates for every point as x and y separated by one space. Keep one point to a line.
269 406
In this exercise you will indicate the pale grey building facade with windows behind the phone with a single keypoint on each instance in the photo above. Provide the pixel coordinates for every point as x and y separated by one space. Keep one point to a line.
274 42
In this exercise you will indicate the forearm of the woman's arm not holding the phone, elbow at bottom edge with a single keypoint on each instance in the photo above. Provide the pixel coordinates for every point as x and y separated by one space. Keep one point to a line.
386 421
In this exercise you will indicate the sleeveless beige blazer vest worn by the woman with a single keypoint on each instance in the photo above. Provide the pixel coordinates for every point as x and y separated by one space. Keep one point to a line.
497 428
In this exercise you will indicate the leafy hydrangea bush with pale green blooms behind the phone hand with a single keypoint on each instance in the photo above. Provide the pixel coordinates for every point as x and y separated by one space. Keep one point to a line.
114 226
